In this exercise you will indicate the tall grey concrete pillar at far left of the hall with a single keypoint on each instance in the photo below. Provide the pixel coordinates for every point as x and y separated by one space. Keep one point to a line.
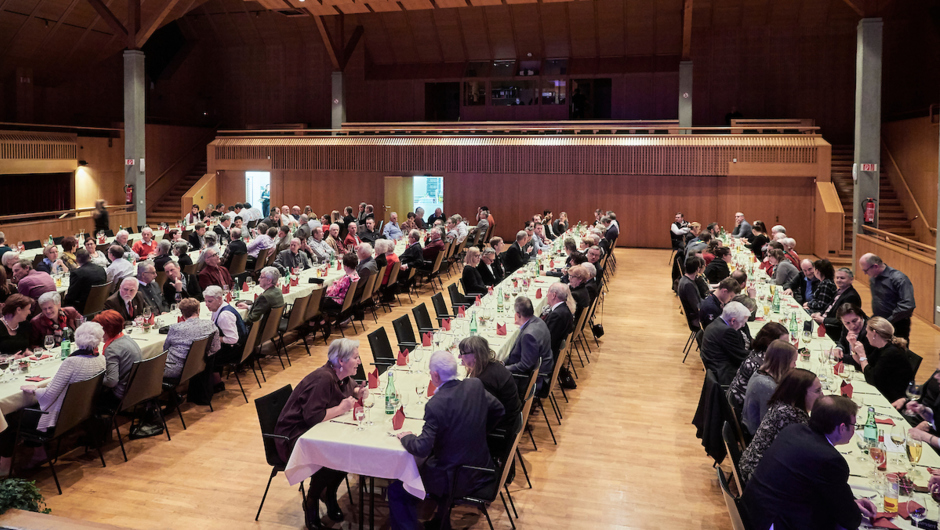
134 126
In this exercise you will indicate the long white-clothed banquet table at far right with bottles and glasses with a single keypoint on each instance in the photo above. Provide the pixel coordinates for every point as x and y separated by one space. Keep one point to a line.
864 395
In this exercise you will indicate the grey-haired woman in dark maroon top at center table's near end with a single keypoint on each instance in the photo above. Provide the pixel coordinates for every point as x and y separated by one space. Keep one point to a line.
326 393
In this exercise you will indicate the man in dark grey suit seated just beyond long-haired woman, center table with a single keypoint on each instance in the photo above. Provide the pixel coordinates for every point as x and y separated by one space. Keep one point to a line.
533 347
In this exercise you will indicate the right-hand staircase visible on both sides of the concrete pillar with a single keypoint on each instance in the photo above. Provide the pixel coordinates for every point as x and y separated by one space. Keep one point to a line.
892 217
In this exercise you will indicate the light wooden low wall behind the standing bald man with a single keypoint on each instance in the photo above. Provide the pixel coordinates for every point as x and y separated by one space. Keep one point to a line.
921 270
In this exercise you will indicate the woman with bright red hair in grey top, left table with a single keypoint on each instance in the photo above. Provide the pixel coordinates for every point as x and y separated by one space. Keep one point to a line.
120 354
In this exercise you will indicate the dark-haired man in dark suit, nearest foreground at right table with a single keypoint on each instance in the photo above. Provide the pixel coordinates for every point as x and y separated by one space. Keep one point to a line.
802 480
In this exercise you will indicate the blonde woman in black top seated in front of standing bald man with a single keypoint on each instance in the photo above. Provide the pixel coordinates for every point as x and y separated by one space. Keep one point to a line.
887 367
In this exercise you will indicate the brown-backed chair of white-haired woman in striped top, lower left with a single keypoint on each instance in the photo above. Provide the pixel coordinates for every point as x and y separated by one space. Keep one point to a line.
78 406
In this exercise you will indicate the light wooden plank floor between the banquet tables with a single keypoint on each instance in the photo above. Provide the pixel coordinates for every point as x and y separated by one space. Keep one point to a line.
627 454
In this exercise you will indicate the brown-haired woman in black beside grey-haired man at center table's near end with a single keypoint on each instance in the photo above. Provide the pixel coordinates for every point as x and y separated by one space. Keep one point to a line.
476 356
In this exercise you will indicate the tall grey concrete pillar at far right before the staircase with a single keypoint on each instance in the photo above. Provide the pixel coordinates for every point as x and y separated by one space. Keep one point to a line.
867 122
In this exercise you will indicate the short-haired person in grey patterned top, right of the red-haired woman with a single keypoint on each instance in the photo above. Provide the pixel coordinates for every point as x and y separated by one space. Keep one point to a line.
178 341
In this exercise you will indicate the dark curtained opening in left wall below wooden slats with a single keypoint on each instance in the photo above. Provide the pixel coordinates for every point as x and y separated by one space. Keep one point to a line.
35 192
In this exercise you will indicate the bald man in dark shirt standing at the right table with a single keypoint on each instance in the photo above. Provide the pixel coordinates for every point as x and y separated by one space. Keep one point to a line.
892 294
